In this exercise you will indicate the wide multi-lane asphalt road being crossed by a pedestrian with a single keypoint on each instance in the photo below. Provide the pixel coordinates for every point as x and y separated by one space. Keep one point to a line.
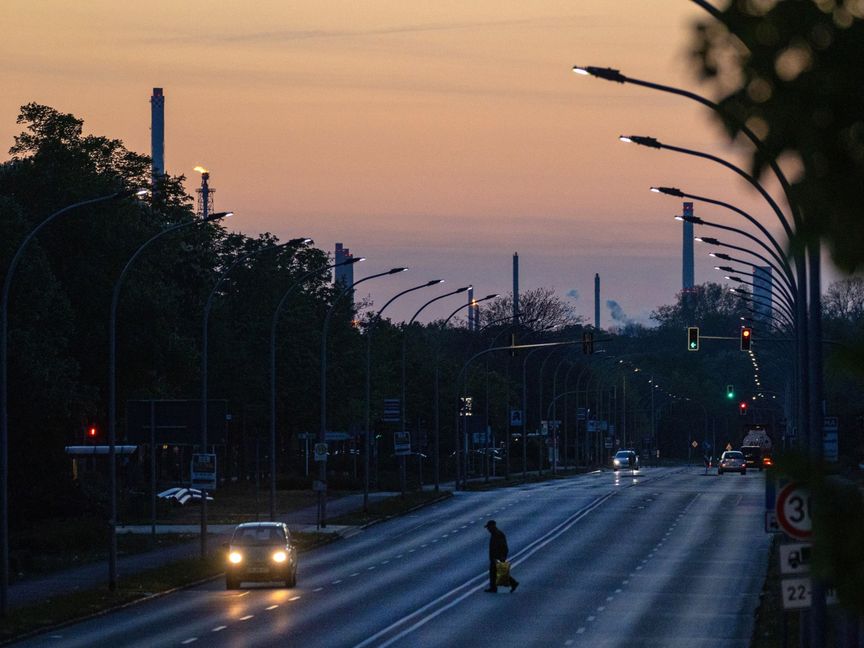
664 557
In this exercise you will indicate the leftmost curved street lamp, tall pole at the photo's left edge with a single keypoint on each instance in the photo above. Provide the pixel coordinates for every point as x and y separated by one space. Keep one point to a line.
4 391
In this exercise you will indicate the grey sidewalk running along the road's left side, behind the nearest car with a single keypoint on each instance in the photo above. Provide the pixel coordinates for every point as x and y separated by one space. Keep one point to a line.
95 575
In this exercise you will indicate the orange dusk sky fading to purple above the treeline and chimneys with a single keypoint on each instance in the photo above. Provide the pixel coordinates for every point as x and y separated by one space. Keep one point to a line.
443 136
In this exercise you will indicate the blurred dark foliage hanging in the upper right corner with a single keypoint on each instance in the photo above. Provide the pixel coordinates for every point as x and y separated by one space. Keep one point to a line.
792 72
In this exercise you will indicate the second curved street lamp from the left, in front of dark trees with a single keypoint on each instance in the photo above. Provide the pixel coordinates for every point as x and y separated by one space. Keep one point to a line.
112 389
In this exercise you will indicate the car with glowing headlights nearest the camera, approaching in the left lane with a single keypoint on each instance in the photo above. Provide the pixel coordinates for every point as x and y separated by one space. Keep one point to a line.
261 552
